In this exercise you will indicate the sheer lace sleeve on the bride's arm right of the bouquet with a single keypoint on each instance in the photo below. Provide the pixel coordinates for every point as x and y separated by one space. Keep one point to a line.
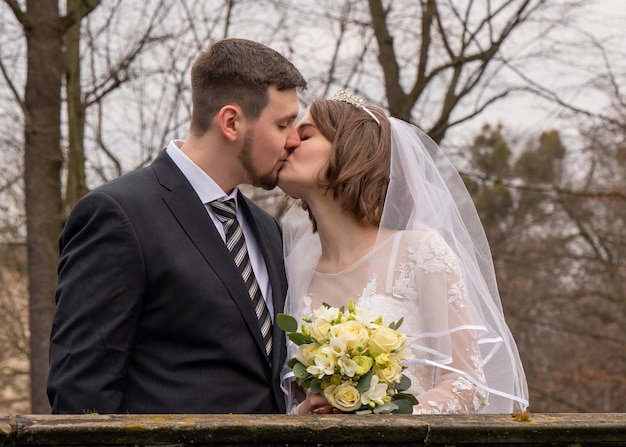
453 382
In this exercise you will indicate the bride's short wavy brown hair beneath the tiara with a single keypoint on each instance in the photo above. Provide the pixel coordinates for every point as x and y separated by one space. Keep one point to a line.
360 158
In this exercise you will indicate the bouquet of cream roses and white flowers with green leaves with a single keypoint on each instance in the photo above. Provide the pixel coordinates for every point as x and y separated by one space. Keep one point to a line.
352 359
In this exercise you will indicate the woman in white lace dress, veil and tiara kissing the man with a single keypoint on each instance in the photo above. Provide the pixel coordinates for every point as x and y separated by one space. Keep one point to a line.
384 219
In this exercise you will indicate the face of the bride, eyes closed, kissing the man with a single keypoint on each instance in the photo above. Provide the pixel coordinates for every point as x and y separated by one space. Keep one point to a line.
305 167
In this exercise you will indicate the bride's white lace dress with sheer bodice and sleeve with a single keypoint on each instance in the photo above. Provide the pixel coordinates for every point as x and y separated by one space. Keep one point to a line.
415 276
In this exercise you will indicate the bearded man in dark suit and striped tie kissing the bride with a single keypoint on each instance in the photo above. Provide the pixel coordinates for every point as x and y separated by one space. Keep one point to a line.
155 314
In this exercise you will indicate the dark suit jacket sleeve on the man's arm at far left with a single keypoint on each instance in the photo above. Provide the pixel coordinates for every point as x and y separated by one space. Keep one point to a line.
99 300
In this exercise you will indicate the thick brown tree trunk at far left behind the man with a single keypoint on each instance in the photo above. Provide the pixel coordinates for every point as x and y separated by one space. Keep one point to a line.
42 167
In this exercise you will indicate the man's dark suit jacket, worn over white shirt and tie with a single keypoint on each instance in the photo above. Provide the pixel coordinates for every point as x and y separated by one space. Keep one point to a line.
152 315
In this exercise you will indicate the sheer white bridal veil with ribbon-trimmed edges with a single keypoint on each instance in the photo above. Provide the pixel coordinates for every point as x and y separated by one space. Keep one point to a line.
426 194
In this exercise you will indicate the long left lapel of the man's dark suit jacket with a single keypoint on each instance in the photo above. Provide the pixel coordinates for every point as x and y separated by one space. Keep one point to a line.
194 220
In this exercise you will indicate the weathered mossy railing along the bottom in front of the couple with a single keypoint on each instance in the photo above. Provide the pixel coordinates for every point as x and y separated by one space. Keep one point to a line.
599 429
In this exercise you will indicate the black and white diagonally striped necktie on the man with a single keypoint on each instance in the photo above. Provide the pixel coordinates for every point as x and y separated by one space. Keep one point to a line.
236 244
